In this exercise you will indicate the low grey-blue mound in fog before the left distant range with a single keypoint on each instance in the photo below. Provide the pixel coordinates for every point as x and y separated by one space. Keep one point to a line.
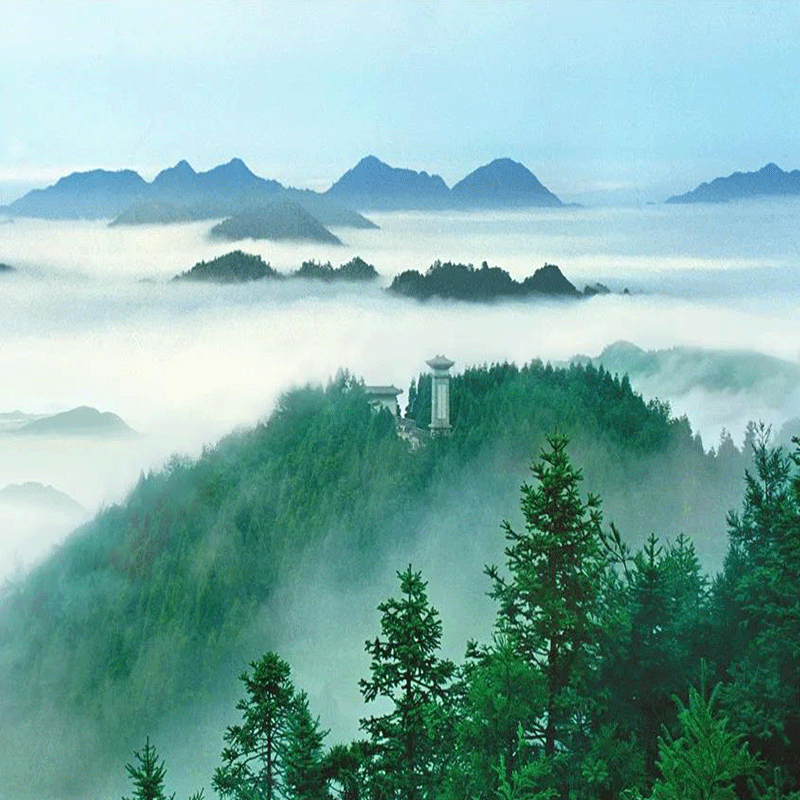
279 221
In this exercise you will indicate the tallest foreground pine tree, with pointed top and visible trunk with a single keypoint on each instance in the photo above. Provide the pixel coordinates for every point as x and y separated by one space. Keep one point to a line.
549 605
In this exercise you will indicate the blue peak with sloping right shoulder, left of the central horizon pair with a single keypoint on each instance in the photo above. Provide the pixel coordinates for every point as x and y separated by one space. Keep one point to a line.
372 184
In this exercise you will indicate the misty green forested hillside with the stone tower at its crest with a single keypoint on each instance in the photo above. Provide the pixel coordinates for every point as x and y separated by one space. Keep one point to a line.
147 610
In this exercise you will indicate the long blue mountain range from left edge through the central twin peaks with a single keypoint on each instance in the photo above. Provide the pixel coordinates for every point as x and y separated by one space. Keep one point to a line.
180 194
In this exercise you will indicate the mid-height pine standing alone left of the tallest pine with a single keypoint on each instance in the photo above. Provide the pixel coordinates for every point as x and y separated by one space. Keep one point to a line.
406 670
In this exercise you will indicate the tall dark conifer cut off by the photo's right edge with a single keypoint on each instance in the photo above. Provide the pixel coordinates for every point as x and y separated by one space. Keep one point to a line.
757 600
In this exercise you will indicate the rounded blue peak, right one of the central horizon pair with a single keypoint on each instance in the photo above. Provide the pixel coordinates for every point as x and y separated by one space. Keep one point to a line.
502 184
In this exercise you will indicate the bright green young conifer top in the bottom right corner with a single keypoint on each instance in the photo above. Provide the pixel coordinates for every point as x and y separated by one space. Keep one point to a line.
706 761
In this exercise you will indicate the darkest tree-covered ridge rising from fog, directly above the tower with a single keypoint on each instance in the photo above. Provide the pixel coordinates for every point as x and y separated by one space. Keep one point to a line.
464 282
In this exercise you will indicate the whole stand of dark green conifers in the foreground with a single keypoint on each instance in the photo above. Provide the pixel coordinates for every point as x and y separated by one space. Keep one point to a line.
609 674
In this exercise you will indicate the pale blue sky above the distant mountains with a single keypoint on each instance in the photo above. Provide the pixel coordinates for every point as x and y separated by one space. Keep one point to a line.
601 100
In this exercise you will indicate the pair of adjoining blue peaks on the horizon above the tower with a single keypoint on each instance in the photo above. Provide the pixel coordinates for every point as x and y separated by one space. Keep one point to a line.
374 185
